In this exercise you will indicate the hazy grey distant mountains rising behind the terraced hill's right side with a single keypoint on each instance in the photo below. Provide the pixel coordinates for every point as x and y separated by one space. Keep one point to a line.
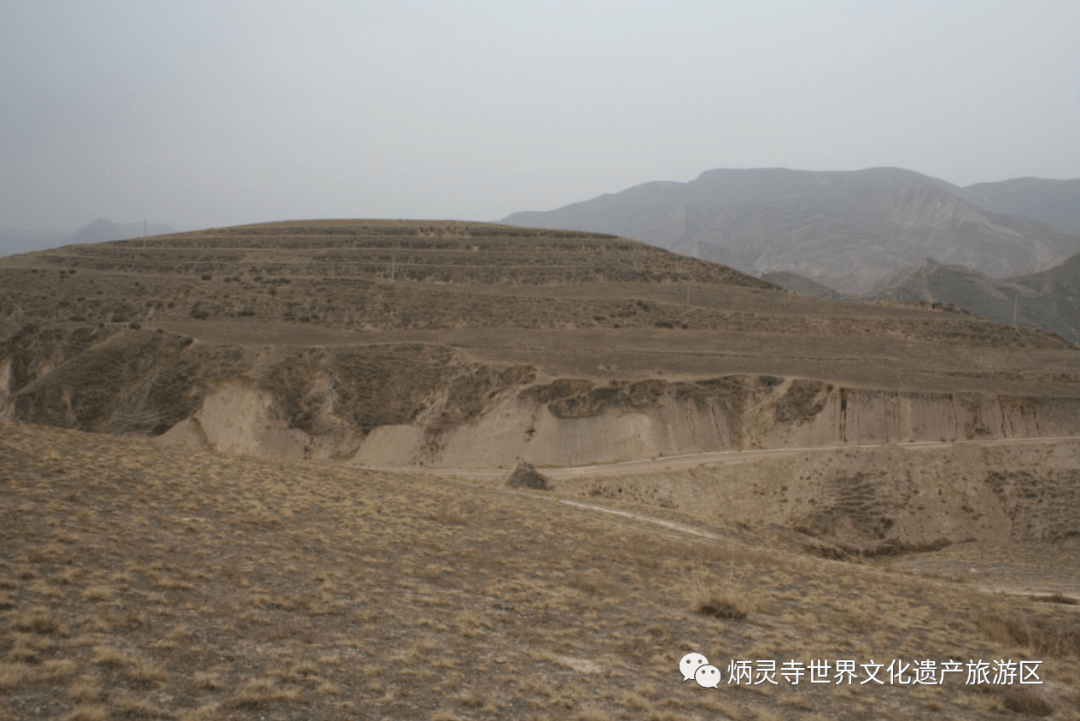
850 232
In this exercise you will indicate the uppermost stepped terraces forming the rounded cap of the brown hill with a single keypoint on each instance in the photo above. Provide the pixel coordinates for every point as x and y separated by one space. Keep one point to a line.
438 252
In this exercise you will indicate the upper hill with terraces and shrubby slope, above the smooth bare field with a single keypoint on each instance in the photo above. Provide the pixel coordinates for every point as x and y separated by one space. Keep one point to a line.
381 276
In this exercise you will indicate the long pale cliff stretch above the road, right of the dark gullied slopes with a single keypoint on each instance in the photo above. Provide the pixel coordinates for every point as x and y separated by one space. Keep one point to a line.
626 421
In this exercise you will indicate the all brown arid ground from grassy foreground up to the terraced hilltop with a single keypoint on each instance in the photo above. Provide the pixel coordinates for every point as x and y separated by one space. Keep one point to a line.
260 472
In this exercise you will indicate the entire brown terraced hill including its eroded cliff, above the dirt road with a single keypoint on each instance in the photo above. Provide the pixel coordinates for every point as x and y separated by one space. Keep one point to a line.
444 345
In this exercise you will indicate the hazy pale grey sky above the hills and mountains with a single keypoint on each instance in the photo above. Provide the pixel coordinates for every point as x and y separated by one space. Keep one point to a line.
215 114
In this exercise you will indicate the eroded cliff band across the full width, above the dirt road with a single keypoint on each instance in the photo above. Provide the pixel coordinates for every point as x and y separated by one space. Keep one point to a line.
430 405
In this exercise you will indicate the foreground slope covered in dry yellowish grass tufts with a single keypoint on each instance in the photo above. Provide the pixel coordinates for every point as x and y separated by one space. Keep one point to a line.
371 595
